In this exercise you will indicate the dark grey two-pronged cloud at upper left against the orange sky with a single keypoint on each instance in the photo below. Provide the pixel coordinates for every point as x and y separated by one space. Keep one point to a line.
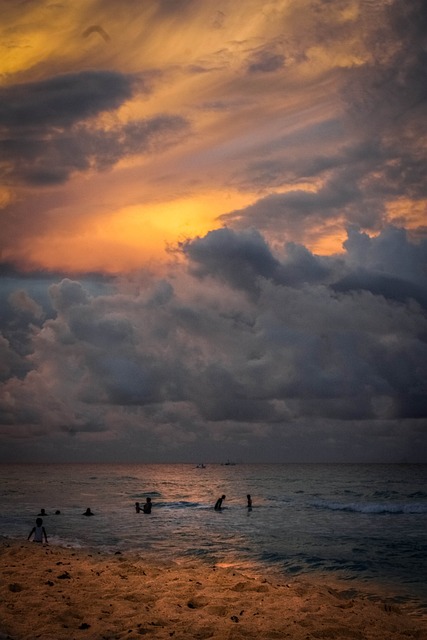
46 136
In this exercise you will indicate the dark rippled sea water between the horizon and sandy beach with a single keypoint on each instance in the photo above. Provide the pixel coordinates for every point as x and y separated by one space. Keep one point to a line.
361 523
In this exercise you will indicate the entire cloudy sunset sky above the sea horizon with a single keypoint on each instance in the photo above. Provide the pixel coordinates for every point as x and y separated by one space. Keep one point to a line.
213 240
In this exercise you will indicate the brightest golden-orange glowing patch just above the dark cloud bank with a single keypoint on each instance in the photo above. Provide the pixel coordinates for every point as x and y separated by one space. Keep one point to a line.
131 238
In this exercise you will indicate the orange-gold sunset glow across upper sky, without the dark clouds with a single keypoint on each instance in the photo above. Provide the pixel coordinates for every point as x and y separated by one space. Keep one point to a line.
195 65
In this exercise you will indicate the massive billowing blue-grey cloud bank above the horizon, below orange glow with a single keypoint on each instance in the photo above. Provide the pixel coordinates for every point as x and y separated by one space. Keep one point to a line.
201 357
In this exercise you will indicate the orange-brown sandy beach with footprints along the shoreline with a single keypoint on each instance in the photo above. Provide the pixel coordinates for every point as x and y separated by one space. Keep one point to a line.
57 593
